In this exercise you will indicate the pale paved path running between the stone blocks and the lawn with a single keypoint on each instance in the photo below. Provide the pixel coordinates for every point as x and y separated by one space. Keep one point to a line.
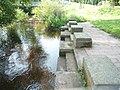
103 44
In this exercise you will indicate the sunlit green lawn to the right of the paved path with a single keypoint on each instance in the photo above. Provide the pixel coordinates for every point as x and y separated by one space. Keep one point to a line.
105 18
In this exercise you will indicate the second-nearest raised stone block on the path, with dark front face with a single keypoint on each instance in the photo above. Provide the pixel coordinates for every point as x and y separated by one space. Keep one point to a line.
82 40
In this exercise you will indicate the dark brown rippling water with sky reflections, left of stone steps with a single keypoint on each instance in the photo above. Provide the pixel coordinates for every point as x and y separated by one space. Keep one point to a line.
28 57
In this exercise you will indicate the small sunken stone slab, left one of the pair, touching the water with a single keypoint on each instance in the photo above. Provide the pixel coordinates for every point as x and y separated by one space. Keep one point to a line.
61 65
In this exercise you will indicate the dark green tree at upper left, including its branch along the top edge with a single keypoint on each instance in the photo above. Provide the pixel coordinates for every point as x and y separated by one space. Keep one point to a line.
7 10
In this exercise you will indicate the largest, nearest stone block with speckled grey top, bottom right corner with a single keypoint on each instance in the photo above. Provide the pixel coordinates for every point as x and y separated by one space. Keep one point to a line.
101 73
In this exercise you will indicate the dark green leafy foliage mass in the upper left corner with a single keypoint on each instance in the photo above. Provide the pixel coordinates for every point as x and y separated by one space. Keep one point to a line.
7 12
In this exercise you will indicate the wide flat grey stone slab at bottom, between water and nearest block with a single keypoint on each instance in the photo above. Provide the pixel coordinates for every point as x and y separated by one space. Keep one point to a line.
67 80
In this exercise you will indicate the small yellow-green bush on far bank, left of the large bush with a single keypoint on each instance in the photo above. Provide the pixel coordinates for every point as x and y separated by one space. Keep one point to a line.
21 16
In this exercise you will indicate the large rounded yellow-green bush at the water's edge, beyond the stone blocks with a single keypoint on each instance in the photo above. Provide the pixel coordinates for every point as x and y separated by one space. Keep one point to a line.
51 13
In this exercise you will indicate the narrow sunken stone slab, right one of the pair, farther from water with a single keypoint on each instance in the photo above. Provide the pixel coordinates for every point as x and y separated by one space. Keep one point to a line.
70 62
